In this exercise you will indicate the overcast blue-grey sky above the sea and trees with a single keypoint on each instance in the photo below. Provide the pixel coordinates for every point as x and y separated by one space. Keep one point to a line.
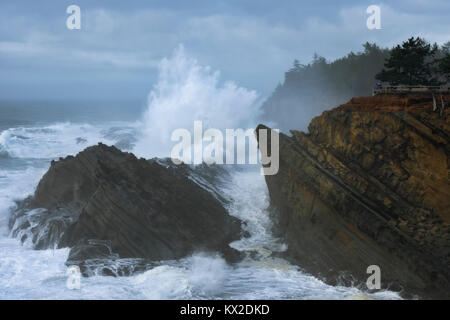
252 42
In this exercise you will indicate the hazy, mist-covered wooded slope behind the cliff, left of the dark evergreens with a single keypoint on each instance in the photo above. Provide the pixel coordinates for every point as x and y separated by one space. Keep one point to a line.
308 89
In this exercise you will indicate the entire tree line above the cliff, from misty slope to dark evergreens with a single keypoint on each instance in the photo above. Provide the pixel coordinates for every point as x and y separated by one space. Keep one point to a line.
309 89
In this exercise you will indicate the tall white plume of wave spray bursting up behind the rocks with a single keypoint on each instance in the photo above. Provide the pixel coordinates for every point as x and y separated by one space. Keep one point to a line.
186 92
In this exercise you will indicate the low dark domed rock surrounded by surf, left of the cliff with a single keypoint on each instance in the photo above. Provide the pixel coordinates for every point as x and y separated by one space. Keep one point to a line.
143 208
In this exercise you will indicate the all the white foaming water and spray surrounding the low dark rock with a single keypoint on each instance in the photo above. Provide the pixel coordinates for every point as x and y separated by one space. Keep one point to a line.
185 92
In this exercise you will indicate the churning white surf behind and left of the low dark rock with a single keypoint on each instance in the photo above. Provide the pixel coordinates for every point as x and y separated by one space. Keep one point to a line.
30 149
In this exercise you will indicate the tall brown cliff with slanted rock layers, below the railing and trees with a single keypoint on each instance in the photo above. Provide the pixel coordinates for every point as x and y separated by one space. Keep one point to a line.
369 185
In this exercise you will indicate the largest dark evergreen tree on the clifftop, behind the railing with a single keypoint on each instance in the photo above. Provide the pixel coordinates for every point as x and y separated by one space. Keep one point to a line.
410 64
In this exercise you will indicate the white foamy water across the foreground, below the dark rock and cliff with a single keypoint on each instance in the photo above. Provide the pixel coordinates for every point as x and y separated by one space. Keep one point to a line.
41 274
